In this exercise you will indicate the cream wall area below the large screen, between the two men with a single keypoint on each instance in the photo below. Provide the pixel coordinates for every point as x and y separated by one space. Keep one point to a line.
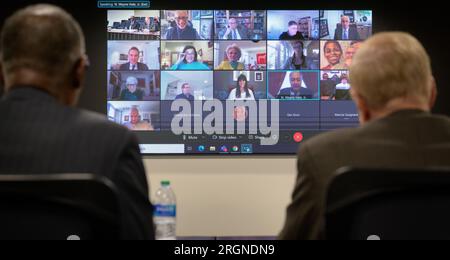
227 196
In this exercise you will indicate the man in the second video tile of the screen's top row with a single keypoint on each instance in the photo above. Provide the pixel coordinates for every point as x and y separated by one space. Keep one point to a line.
183 29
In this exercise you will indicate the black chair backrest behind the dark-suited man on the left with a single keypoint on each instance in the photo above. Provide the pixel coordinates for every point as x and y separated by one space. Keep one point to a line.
58 207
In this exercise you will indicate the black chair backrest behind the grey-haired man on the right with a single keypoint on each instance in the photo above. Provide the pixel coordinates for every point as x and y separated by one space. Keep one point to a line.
389 204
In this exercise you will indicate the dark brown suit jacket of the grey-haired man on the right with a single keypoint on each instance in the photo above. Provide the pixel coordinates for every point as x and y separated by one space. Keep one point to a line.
406 139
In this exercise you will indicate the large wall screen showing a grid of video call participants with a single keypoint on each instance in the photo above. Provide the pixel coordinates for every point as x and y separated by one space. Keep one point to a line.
231 82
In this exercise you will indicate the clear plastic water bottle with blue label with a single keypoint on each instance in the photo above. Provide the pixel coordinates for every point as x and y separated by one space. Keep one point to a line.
165 212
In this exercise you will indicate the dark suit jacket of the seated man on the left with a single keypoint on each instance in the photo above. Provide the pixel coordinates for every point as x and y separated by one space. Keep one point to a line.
40 136
